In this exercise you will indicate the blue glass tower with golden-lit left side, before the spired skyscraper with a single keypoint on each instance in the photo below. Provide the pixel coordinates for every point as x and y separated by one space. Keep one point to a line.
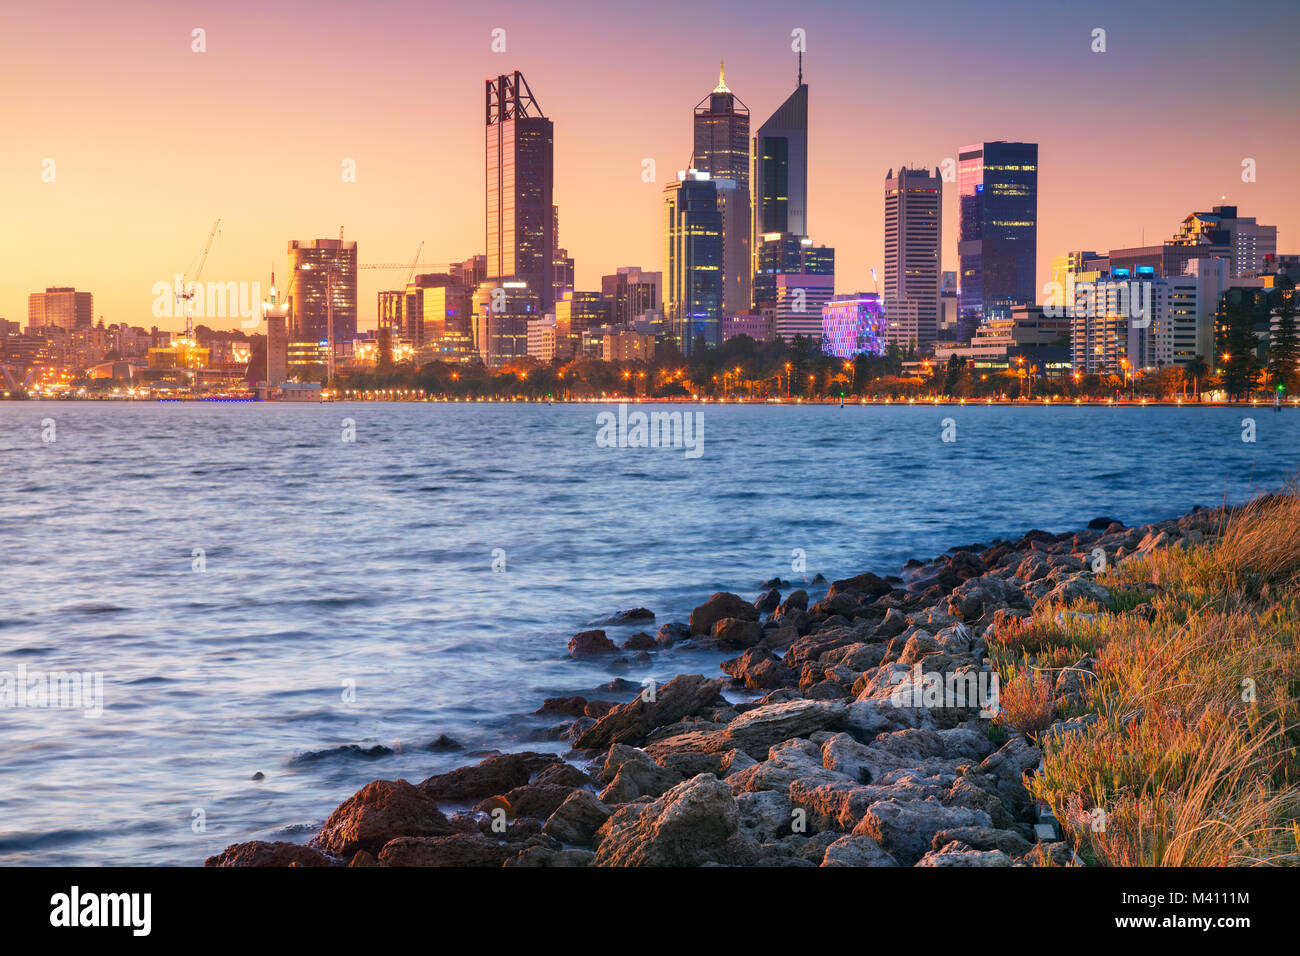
694 253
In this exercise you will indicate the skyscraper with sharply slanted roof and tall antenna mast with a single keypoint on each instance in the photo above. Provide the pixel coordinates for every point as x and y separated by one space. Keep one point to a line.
781 178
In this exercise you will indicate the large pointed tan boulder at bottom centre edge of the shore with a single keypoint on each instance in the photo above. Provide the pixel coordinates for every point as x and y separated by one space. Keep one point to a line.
691 825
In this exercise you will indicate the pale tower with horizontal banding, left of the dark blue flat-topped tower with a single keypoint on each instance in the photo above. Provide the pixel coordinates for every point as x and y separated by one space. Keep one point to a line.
913 240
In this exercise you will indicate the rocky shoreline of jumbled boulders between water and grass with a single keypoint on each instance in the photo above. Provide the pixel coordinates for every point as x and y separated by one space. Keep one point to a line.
876 743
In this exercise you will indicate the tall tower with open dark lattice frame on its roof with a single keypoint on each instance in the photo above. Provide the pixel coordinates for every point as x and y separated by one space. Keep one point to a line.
521 172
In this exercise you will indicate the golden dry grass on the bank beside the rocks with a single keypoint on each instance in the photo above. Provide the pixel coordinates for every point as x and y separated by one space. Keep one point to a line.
1193 760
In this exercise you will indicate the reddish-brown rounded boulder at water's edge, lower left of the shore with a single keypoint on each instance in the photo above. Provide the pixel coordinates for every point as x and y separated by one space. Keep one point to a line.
378 814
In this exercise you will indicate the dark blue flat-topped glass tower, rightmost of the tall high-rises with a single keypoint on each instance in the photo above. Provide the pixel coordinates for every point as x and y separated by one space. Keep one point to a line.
998 188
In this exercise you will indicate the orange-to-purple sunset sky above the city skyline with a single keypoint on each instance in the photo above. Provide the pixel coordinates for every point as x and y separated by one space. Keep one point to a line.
151 142
